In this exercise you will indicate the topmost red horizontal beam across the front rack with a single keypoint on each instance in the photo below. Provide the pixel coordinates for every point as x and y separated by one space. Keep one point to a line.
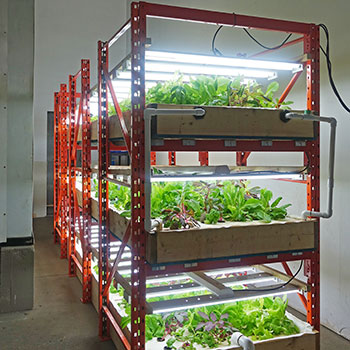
222 18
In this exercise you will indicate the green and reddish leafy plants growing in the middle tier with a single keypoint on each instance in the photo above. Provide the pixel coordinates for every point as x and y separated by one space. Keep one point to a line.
184 204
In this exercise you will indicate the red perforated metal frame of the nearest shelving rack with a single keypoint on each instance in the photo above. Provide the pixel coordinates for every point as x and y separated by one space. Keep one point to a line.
140 269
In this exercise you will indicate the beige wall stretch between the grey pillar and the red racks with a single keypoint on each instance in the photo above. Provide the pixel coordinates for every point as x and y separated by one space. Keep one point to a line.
65 32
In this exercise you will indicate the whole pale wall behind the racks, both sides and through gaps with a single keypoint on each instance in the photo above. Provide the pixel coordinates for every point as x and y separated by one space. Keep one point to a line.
62 40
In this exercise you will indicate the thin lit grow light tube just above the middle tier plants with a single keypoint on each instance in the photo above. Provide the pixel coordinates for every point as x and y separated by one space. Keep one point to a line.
168 178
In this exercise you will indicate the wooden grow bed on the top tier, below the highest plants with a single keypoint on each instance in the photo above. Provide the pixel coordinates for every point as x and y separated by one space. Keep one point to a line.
218 122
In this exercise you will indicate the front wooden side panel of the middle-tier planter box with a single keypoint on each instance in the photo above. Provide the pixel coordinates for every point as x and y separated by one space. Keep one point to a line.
234 241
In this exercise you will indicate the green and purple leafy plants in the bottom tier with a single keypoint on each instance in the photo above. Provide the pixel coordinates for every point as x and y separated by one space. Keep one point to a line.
212 326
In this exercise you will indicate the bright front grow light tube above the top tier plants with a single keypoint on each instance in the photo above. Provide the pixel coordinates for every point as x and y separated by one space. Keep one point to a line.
206 60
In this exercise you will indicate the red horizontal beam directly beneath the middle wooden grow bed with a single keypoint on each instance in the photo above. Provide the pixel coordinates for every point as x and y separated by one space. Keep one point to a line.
225 263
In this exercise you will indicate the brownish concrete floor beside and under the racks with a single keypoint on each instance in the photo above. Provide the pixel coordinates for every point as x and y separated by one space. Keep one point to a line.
59 320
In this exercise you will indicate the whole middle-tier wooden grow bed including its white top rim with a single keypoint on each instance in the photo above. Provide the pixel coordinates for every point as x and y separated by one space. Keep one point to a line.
221 240
